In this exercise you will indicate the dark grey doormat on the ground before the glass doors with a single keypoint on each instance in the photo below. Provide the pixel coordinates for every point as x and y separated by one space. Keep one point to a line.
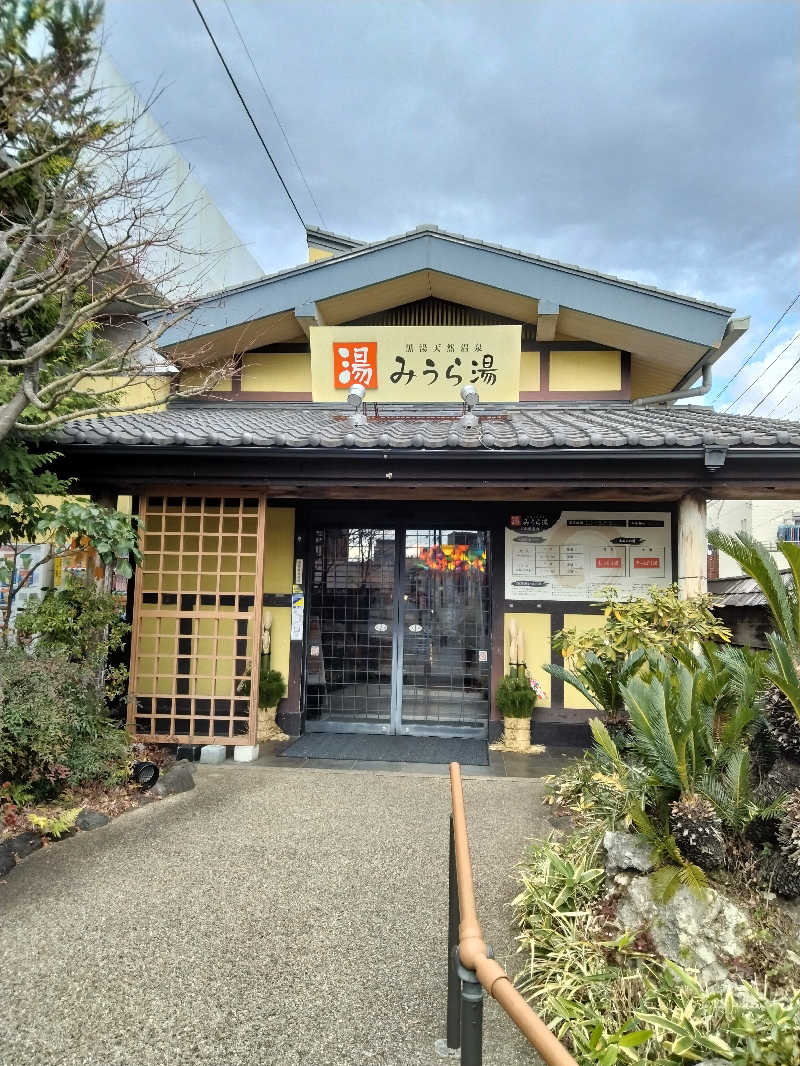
376 748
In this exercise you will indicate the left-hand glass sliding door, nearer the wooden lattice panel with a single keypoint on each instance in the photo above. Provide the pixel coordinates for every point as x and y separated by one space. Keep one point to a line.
350 637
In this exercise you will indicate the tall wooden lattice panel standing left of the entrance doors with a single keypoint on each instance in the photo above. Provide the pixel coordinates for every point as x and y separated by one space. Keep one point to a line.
197 620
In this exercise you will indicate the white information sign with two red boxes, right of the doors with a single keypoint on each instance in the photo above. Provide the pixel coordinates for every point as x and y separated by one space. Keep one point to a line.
573 555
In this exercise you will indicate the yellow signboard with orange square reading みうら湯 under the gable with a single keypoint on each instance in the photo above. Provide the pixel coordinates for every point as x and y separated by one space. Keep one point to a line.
415 364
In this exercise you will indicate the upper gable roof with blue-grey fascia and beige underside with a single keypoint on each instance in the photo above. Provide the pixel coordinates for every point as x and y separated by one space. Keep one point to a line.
677 331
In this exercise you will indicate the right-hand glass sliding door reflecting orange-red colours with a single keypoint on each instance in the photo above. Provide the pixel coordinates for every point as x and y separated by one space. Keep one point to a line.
445 635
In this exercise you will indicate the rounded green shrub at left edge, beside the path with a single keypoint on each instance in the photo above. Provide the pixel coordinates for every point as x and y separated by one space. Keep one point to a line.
54 728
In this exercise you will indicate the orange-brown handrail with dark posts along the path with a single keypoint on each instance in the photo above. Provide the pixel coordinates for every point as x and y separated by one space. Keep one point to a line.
471 966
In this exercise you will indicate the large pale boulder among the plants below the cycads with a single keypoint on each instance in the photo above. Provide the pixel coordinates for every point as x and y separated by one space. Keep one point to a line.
703 933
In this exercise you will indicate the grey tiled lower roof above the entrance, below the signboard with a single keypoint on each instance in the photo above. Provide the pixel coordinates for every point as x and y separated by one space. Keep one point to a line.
237 425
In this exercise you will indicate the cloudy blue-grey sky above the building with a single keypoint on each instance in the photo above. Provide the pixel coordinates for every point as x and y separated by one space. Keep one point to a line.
653 139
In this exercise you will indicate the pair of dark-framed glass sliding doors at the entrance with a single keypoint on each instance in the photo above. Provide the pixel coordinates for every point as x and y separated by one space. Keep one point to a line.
398 632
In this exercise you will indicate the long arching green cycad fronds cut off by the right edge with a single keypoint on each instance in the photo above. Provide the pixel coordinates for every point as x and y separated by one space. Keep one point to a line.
783 669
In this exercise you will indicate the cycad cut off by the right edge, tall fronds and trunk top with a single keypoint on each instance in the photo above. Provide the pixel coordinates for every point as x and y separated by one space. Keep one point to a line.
782 697
